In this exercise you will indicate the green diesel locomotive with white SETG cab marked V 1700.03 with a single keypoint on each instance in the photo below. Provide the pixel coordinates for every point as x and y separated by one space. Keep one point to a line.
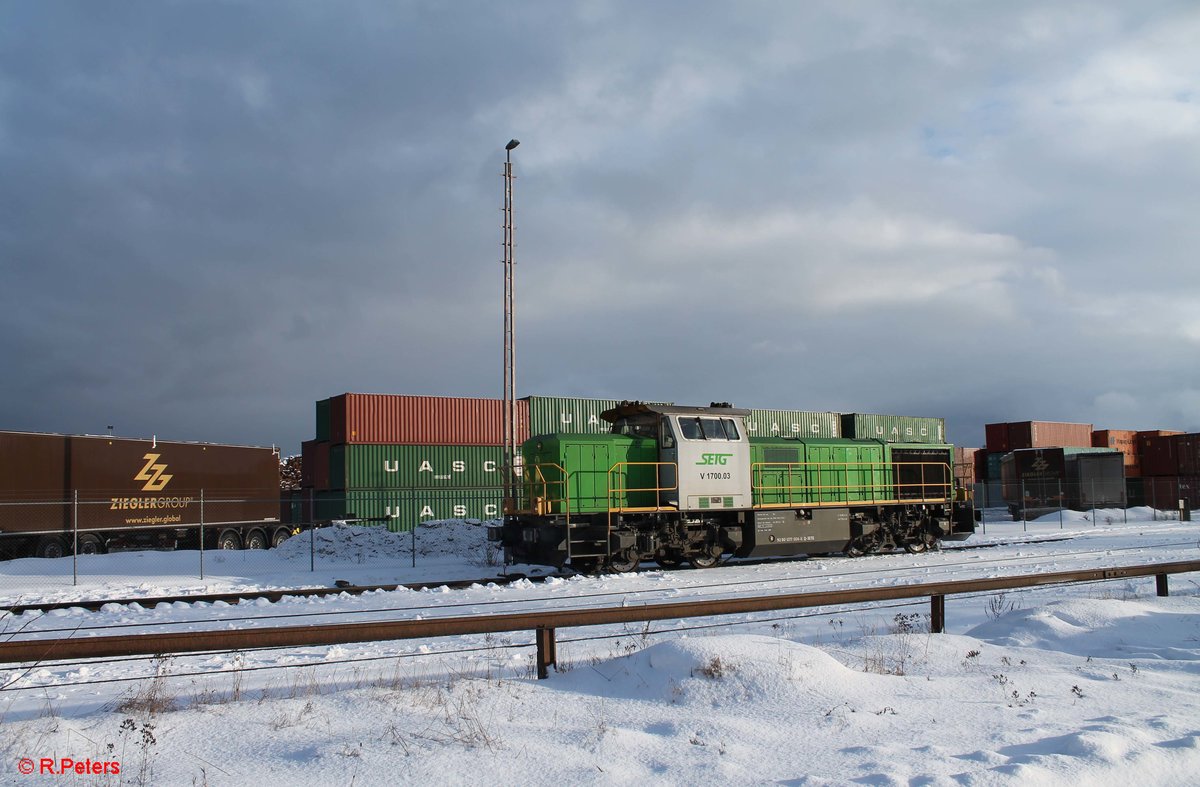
688 485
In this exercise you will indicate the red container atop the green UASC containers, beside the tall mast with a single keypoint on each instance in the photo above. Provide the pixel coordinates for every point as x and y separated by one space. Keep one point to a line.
386 419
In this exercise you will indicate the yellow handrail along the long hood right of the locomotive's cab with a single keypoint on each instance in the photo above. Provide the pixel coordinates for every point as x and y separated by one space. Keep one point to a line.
815 490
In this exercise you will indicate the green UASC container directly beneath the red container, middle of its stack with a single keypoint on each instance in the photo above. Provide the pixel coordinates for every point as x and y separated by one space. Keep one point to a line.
406 467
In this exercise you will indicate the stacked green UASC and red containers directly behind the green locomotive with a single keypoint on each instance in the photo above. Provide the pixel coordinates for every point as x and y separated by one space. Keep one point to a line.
394 460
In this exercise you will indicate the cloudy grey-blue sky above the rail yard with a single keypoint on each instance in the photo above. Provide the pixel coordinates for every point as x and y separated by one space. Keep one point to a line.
214 214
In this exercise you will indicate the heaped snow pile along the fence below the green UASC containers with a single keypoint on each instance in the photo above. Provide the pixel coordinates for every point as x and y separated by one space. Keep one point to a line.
460 540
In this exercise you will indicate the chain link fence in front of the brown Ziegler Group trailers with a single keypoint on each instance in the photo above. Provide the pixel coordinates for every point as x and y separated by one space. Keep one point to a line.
125 542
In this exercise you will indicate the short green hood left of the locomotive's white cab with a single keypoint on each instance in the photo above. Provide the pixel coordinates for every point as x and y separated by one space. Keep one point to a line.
590 486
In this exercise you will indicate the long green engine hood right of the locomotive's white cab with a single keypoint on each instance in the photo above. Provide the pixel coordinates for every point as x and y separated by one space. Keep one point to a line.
826 472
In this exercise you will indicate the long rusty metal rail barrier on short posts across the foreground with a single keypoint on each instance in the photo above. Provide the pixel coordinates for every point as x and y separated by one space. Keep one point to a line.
545 623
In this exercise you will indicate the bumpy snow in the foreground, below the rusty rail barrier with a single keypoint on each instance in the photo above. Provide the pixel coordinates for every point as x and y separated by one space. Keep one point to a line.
723 708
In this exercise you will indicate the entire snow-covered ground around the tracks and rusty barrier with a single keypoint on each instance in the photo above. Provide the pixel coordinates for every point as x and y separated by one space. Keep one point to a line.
1094 684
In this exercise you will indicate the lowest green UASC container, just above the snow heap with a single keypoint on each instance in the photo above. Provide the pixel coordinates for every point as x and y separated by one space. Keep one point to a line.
400 510
